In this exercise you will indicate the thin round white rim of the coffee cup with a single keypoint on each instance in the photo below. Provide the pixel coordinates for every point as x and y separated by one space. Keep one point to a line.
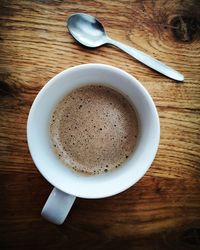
86 66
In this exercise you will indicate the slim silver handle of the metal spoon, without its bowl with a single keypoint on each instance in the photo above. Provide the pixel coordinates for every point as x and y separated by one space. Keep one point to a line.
148 60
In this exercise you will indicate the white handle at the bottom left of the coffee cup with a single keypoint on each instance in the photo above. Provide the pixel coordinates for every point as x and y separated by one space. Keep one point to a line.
57 206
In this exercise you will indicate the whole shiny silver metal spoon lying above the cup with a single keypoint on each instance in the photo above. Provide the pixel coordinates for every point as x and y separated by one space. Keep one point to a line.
88 31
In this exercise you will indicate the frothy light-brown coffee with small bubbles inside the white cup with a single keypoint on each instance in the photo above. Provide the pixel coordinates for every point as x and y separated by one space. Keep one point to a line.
94 129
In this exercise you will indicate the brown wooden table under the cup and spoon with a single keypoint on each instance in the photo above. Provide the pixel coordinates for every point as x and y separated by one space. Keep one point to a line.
162 211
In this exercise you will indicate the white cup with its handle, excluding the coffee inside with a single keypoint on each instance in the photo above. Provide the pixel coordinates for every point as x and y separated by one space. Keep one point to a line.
67 183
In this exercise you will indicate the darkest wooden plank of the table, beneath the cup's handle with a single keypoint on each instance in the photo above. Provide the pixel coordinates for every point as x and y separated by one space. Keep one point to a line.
153 207
